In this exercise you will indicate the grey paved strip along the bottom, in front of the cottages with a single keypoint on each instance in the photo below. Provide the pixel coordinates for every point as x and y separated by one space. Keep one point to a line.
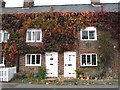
16 85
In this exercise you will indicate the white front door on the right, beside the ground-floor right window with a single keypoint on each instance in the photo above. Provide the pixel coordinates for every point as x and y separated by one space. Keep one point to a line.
69 64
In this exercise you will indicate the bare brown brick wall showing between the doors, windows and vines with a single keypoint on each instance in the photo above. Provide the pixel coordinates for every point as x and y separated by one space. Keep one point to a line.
84 47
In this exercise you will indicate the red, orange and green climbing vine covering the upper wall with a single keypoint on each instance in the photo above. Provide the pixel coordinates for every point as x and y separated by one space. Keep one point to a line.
59 30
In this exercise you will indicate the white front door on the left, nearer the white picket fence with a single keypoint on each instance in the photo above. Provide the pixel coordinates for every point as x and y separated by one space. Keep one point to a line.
52 64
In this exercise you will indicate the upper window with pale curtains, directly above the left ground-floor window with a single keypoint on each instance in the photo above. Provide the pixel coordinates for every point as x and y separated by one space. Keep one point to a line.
34 35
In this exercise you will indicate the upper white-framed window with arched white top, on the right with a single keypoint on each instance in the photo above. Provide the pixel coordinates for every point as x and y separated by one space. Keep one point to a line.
89 33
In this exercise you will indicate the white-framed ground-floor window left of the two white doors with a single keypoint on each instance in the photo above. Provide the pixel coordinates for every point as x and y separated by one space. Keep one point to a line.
33 59
